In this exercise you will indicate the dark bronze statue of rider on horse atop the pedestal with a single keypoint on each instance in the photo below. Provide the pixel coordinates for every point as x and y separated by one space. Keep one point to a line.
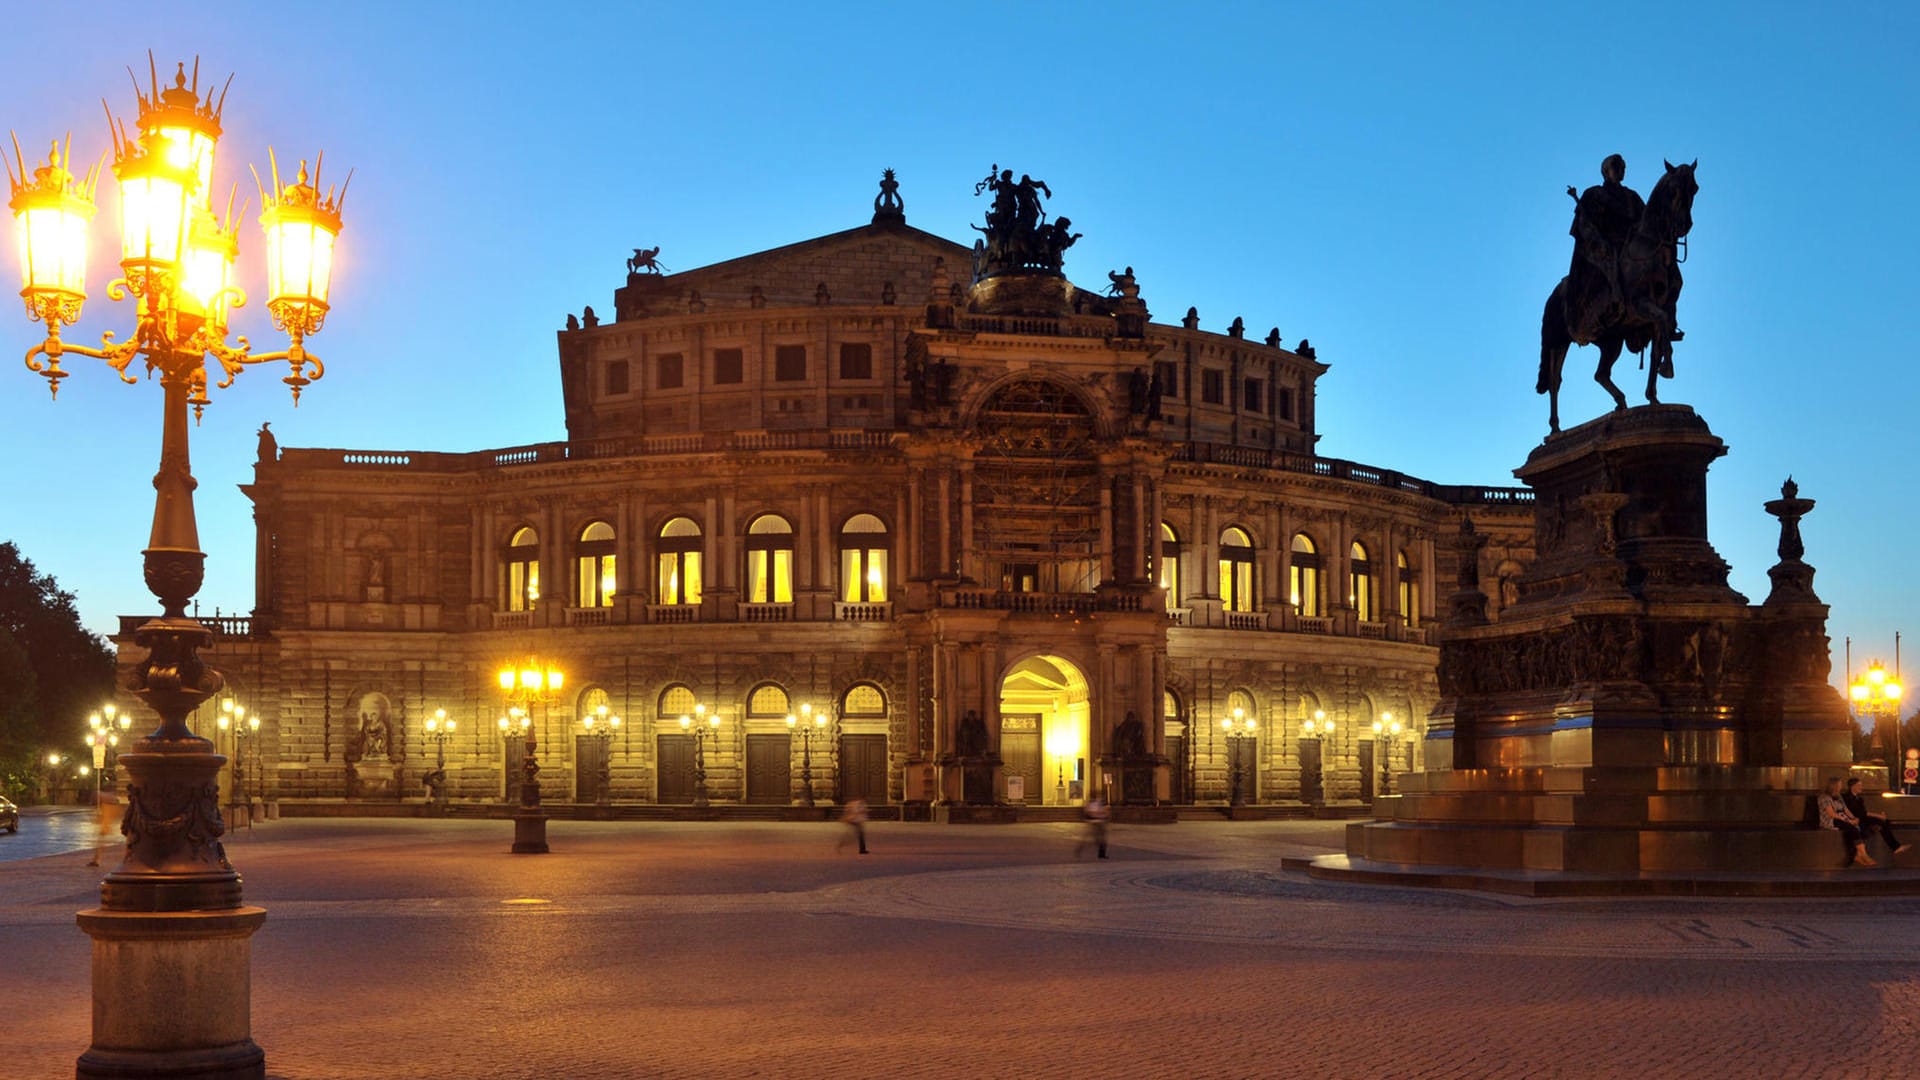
1623 283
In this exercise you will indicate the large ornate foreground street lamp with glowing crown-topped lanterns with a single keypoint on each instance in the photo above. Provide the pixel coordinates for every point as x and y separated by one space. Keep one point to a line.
174 904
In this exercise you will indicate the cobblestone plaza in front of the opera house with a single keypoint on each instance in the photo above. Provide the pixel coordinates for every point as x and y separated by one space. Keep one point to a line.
398 948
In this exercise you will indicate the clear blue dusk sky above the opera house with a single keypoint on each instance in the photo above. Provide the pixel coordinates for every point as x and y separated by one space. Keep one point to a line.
1385 180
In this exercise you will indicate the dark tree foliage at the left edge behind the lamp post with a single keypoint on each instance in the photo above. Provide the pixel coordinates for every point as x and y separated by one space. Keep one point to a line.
53 672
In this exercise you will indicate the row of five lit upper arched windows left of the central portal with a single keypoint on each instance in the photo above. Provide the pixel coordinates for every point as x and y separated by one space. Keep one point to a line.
767 574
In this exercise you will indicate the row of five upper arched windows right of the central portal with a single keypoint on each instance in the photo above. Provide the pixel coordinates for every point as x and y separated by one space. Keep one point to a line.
1237 581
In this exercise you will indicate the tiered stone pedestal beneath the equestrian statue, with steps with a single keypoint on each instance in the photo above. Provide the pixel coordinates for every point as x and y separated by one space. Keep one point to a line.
1631 714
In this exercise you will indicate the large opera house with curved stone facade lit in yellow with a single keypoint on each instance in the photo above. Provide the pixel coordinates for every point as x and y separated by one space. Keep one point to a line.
836 476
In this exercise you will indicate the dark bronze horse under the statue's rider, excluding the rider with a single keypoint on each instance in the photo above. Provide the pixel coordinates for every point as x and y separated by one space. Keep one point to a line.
1650 282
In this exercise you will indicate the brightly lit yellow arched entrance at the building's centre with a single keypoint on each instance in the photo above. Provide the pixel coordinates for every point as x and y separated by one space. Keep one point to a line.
1045 710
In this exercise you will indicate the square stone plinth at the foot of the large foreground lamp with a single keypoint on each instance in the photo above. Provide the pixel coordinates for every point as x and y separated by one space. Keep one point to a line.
141 966
